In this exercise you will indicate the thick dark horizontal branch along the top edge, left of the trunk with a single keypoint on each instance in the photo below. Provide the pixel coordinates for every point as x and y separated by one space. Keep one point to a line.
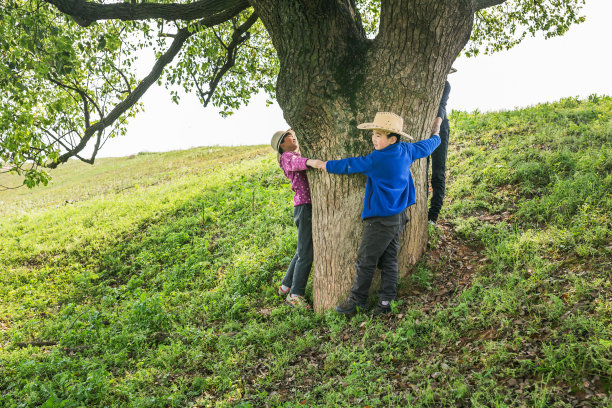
211 12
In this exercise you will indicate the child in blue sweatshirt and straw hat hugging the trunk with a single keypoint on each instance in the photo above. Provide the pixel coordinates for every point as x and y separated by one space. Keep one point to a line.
389 192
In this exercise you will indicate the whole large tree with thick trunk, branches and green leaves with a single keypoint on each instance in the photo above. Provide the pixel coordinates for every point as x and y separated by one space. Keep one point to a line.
70 79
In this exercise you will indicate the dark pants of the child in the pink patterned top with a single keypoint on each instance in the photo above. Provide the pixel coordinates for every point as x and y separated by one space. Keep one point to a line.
299 268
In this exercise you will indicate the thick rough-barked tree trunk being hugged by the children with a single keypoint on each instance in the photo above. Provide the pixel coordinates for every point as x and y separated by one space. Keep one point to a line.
333 78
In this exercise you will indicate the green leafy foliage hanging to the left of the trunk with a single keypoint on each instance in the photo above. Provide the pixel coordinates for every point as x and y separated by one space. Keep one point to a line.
60 78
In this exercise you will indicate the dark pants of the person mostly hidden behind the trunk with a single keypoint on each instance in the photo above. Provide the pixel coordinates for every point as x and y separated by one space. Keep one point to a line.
438 173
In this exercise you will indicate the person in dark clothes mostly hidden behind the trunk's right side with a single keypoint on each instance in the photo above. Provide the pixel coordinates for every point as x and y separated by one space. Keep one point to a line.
438 157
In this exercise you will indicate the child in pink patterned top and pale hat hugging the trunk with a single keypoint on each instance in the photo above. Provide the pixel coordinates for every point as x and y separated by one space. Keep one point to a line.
294 166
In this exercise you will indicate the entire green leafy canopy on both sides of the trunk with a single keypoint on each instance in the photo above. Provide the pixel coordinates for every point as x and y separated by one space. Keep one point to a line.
67 87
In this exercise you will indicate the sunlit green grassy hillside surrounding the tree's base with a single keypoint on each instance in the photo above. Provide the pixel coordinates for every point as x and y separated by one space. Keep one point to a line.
150 282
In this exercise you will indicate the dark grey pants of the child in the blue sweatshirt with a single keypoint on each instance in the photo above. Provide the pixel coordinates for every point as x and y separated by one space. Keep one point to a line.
379 247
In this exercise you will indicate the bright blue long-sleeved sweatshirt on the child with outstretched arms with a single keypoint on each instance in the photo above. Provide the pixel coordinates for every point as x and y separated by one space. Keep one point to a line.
389 189
